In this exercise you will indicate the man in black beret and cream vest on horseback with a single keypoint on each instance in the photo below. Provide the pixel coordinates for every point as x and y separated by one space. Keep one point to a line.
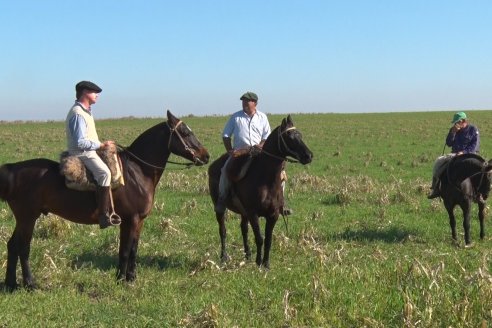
83 141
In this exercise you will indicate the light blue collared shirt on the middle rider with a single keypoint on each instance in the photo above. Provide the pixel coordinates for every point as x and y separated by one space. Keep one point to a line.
247 131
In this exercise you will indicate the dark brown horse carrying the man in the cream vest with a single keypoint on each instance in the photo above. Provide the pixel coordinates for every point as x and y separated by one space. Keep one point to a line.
35 187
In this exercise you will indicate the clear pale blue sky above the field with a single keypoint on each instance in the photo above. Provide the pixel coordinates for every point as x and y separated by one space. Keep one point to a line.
197 57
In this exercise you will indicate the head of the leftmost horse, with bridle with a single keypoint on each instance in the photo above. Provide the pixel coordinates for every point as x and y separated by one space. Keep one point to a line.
182 141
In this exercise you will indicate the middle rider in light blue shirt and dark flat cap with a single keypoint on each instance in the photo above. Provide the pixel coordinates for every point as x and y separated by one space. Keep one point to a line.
250 128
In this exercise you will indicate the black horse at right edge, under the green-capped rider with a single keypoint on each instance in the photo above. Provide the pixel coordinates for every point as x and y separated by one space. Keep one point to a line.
466 180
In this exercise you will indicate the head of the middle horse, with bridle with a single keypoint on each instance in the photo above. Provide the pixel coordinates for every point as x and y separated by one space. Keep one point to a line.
290 142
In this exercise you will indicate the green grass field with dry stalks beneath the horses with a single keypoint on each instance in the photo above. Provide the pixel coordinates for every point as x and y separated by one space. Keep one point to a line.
365 248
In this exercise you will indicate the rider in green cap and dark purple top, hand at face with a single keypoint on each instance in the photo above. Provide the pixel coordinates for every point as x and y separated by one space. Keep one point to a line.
463 138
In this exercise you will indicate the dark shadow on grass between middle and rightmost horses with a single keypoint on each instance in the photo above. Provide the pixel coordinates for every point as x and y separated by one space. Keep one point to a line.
390 235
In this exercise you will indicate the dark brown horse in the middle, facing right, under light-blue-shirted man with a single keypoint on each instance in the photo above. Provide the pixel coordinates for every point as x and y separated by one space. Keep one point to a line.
260 191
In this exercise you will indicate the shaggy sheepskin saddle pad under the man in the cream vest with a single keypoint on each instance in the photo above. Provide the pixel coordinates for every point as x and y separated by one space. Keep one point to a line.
78 177
